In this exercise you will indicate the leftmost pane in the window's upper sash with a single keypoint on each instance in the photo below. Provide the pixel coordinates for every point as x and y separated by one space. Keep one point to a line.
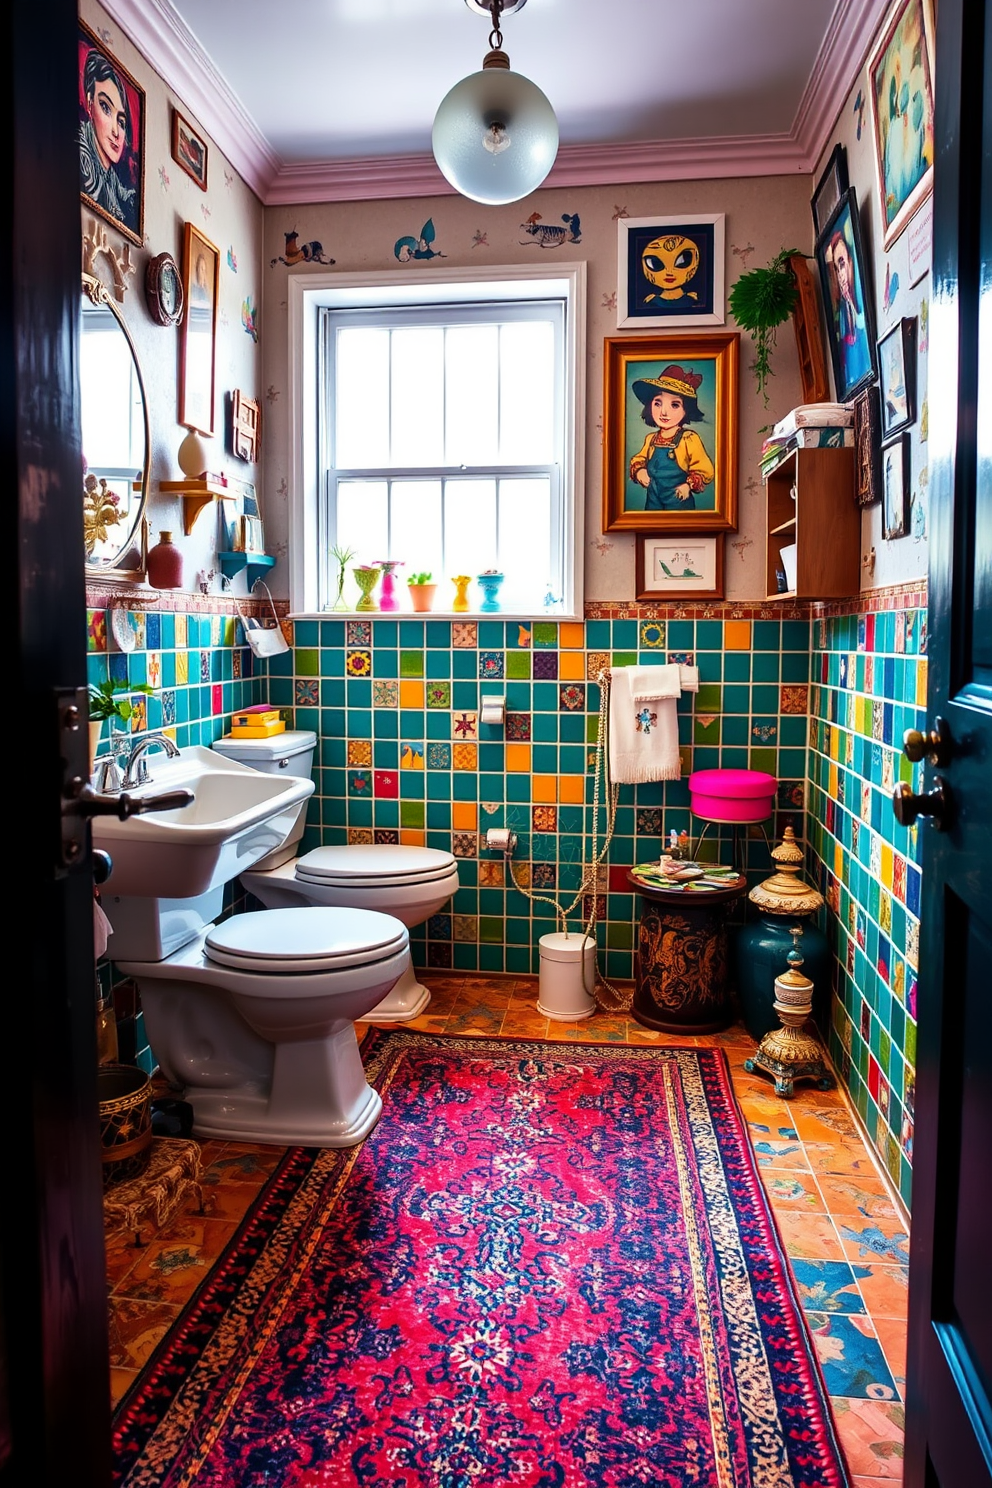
362 429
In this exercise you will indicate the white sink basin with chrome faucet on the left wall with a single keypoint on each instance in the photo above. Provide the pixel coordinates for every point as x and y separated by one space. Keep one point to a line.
239 816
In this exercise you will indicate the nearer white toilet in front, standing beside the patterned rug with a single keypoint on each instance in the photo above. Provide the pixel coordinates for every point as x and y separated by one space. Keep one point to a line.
255 1020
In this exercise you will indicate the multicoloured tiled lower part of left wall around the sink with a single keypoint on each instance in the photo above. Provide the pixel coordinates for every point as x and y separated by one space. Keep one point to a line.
200 672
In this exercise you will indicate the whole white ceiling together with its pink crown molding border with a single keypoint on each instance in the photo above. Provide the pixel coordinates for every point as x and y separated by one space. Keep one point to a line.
328 100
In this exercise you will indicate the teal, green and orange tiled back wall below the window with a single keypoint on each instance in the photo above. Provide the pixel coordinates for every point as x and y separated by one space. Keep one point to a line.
404 757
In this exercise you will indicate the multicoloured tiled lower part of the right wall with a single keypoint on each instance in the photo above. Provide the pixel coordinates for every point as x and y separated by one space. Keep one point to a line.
869 685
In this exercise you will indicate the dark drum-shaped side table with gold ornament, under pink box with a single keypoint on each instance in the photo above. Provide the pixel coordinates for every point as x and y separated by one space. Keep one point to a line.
682 961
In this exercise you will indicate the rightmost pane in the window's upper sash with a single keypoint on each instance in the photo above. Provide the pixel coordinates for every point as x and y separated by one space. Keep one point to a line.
527 394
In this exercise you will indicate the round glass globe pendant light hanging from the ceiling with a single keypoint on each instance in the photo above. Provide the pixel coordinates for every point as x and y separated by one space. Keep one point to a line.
496 135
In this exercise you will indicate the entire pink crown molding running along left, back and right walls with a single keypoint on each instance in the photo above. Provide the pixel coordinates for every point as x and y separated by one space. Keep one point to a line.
161 35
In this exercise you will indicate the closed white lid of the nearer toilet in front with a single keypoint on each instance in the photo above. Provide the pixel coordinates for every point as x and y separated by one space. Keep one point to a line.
306 940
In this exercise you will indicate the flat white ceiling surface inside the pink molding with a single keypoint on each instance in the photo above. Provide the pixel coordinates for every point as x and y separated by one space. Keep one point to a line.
329 80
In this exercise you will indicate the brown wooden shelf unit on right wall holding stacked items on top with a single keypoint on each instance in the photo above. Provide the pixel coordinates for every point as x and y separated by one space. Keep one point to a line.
823 522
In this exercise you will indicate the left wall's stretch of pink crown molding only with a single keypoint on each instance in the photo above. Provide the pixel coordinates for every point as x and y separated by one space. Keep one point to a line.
164 39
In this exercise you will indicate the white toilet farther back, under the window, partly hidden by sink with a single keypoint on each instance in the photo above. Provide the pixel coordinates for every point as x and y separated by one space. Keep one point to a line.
410 883
